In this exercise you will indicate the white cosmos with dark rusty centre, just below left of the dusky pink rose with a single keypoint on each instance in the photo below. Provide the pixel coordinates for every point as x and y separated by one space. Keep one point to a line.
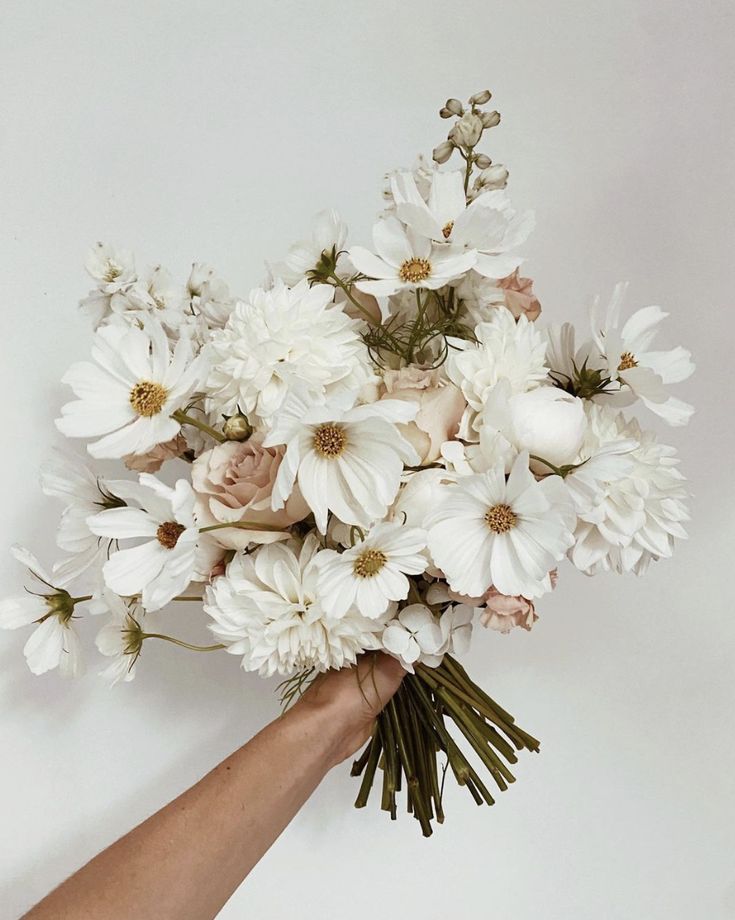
163 565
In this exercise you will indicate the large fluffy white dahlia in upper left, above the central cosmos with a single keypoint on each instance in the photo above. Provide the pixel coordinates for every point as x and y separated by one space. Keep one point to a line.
282 340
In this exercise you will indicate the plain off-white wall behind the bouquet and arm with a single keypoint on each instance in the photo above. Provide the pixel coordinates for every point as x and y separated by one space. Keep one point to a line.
213 131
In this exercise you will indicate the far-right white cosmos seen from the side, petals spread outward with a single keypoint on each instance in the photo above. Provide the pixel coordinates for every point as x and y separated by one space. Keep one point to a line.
642 373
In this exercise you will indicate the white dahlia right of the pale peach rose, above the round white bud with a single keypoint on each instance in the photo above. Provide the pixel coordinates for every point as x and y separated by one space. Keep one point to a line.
505 350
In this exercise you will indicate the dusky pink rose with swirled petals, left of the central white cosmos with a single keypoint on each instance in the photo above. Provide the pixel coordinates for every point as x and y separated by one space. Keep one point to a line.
233 482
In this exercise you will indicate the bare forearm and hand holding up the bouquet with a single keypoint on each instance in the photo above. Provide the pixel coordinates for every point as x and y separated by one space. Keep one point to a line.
186 860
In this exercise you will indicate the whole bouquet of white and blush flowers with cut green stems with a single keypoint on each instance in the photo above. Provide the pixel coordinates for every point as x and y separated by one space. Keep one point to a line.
375 450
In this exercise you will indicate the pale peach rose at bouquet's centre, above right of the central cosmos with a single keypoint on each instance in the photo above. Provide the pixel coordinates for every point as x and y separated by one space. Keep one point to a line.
440 403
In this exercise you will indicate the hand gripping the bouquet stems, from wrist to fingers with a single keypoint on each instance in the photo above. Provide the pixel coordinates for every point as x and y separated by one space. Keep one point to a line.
351 699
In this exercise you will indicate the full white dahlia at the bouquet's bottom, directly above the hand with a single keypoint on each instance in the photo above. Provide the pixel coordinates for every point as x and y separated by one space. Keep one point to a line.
267 608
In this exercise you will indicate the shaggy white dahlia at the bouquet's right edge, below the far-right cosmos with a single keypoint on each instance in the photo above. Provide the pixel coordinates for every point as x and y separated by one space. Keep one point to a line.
637 515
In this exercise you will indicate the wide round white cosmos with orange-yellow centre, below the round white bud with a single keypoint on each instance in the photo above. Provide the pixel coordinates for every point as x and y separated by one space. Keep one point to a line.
508 534
